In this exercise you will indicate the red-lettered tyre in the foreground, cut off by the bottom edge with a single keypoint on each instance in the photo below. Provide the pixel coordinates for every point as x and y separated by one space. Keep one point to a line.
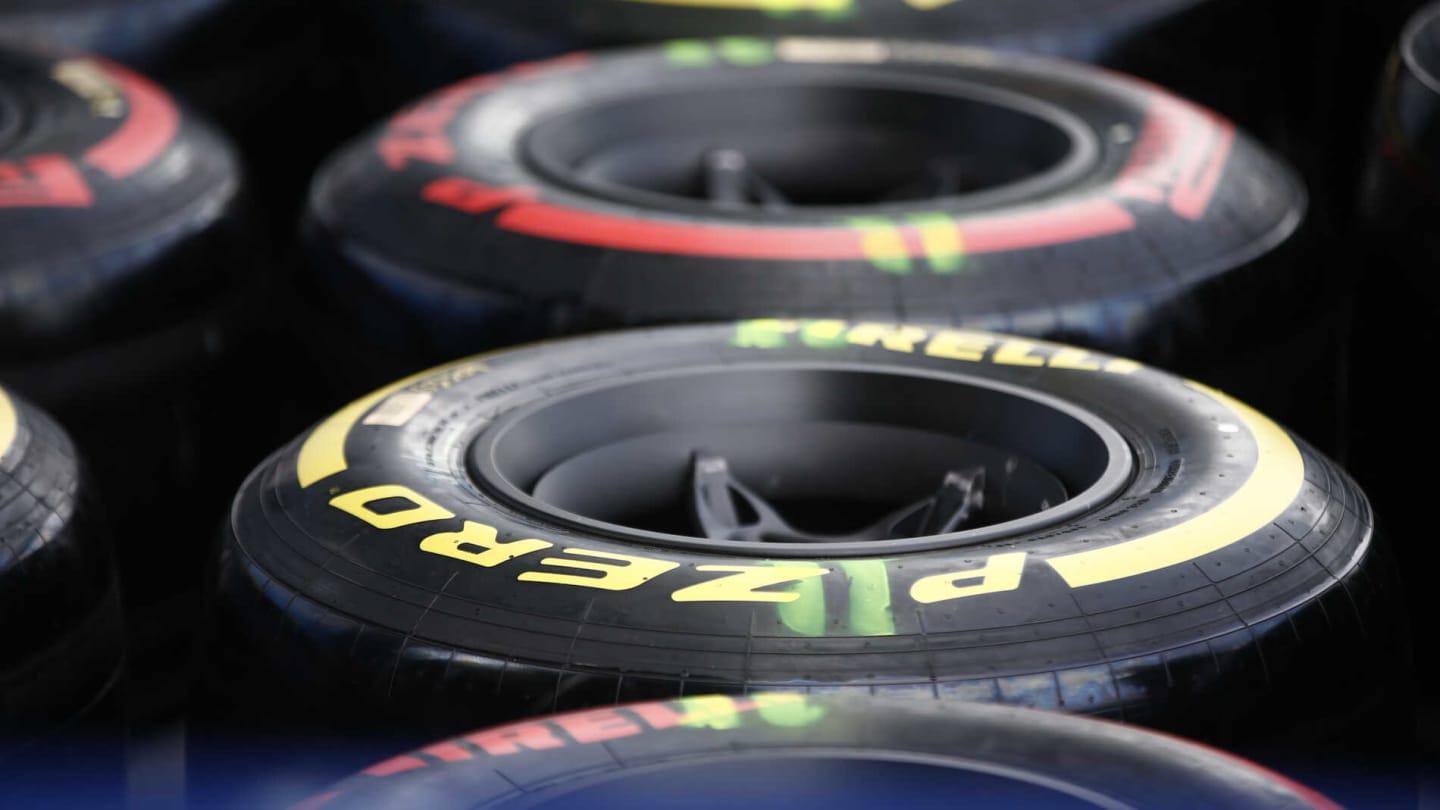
786 750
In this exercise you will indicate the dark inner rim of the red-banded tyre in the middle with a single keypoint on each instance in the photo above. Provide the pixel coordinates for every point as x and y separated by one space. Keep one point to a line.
832 149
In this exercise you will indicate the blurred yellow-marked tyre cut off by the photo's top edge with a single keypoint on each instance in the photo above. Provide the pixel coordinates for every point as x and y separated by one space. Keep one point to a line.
443 41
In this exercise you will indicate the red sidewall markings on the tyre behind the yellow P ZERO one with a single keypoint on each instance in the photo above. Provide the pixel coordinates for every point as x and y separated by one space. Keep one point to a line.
1182 155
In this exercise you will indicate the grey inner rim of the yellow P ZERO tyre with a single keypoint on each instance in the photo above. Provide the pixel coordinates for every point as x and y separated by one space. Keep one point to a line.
798 462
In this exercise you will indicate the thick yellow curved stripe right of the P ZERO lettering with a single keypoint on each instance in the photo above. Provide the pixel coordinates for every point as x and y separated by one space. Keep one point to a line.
1272 488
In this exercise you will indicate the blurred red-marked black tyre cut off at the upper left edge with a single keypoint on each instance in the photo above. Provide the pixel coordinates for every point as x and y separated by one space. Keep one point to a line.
120 198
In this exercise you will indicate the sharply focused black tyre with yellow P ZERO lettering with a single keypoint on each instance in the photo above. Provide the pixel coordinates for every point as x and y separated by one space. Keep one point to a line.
822 505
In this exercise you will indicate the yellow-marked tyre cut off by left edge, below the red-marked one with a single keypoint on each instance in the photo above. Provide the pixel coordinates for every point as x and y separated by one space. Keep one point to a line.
61 633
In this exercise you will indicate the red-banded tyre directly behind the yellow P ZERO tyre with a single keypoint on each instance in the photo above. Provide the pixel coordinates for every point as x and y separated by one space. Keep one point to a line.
714 181
